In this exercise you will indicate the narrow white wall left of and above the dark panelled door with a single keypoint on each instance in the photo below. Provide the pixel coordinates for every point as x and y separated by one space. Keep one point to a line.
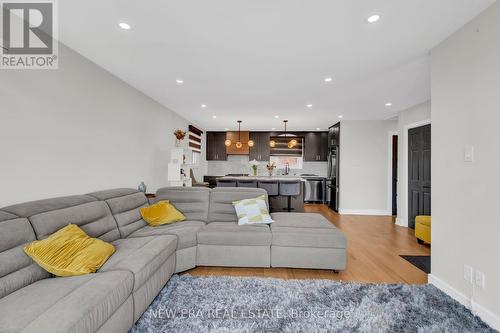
410 118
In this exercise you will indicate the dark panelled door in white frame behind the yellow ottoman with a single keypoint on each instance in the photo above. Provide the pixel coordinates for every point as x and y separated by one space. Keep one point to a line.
419 173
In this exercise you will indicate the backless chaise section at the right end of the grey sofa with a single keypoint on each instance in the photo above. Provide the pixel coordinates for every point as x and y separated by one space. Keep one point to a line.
307 240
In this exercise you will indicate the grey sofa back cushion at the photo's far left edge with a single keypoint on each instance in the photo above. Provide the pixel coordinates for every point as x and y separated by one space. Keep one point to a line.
17 270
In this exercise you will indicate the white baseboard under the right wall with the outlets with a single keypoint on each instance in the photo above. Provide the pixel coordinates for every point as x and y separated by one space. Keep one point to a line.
486 315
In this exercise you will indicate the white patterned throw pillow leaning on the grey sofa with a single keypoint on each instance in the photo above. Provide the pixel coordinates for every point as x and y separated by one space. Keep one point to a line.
252 211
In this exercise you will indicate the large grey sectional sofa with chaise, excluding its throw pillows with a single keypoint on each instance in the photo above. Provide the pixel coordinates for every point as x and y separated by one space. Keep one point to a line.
31 300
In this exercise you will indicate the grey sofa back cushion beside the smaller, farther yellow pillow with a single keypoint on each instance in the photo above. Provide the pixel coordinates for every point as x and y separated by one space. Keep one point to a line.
191 201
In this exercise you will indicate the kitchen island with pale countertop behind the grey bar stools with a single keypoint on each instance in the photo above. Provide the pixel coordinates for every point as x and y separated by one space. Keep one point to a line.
277 203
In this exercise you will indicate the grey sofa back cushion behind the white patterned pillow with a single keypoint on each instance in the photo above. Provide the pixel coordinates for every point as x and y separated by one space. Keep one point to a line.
221 207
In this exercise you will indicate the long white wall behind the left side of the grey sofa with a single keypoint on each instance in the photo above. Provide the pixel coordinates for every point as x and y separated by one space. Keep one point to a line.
79 129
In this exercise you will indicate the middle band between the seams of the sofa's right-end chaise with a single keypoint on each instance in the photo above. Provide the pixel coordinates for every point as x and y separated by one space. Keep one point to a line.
308 237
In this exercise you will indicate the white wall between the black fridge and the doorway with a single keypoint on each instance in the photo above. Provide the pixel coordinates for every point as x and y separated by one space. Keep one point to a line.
365 167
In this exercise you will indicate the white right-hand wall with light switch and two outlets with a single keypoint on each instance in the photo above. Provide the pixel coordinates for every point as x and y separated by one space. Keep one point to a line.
466 196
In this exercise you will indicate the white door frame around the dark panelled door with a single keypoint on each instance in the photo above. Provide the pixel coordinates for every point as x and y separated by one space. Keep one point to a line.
402 219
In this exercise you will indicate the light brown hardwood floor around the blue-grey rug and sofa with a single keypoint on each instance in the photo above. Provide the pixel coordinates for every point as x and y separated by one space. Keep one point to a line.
374 246
